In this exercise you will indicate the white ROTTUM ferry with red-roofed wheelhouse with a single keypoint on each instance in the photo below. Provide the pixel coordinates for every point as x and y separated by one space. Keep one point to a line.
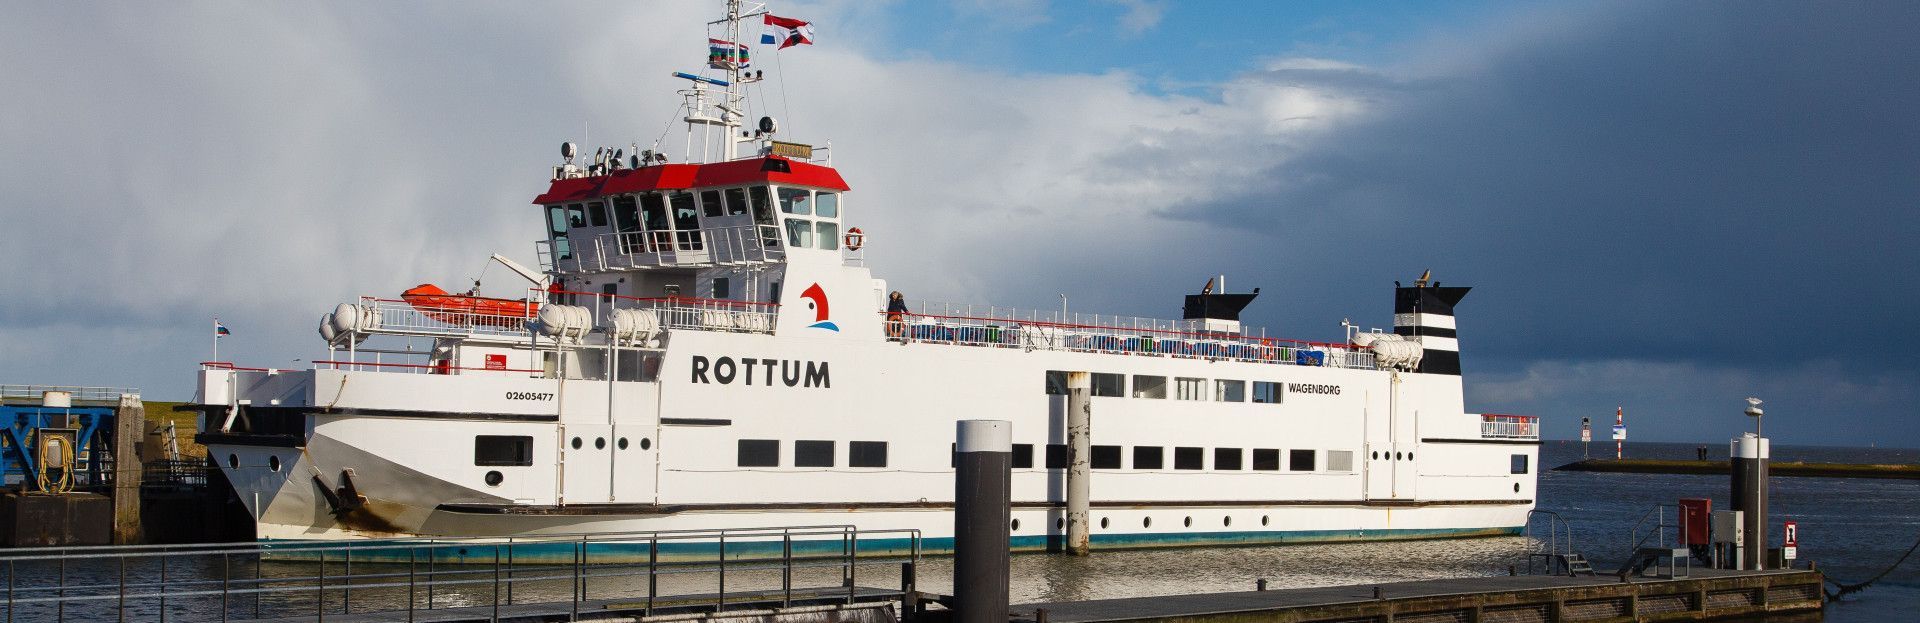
704 347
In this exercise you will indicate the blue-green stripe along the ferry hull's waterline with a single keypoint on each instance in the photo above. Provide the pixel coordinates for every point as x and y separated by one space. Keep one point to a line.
708 551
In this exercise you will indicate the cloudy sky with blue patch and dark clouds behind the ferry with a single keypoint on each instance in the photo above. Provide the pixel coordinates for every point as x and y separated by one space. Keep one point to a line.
1662 207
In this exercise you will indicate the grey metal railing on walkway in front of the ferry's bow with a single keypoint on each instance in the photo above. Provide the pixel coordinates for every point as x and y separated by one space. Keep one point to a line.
560 576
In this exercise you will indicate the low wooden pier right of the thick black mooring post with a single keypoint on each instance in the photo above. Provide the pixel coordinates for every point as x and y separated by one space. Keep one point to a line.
1520 599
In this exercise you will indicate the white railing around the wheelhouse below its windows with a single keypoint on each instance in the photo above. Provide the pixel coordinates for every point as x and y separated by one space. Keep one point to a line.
663 249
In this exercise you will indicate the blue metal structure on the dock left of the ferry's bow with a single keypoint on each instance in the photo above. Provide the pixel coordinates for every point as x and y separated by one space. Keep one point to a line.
20 449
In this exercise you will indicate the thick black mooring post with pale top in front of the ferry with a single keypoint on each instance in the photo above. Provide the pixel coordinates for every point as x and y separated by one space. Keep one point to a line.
984 487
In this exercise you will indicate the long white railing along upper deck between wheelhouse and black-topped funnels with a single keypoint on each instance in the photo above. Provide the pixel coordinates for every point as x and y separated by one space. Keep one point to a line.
1115 336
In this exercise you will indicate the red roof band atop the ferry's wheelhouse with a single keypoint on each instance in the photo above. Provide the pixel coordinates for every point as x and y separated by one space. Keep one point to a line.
690 176
